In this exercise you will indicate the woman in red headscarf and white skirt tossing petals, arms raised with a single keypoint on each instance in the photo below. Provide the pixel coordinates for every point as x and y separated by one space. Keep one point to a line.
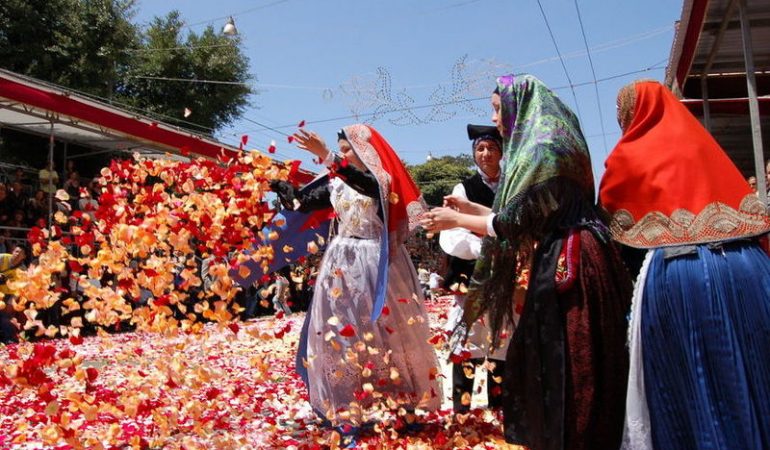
367 329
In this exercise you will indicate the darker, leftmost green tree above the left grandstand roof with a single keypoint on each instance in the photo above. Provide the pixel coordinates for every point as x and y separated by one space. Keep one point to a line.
76 43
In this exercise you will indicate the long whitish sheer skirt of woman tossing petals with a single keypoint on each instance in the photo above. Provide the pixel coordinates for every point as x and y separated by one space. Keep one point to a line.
356 366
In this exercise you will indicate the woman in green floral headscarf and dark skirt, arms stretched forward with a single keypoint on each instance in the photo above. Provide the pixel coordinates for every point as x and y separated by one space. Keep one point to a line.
546 247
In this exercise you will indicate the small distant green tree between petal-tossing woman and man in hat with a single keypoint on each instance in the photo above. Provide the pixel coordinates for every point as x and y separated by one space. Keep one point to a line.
437 177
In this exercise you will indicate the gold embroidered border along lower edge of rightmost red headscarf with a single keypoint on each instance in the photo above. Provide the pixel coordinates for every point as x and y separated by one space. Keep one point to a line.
716 222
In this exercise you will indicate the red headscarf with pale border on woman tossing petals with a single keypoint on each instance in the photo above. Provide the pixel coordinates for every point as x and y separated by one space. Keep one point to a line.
401 196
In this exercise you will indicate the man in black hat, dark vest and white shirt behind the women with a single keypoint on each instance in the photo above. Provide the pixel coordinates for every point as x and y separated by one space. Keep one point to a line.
464 248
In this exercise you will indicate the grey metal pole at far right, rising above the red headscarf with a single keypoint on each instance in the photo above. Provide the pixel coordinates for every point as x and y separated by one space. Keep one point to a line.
751 82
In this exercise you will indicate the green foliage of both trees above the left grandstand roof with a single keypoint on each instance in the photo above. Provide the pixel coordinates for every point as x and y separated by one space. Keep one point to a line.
93 46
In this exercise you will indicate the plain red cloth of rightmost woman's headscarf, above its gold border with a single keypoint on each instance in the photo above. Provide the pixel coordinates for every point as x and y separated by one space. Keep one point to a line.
666 160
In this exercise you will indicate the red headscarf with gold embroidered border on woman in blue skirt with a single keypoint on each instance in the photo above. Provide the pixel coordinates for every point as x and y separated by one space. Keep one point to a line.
668 182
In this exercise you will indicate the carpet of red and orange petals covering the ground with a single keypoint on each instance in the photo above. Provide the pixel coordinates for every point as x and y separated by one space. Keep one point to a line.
231 386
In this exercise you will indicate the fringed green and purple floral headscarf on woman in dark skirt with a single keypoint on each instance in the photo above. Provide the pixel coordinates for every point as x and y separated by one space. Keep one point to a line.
544 151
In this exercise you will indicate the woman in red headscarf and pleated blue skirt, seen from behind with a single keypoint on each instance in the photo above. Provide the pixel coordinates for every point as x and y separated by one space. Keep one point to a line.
700 323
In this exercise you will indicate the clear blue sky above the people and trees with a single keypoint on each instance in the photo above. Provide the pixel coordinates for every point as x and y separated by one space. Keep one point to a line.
320 60
